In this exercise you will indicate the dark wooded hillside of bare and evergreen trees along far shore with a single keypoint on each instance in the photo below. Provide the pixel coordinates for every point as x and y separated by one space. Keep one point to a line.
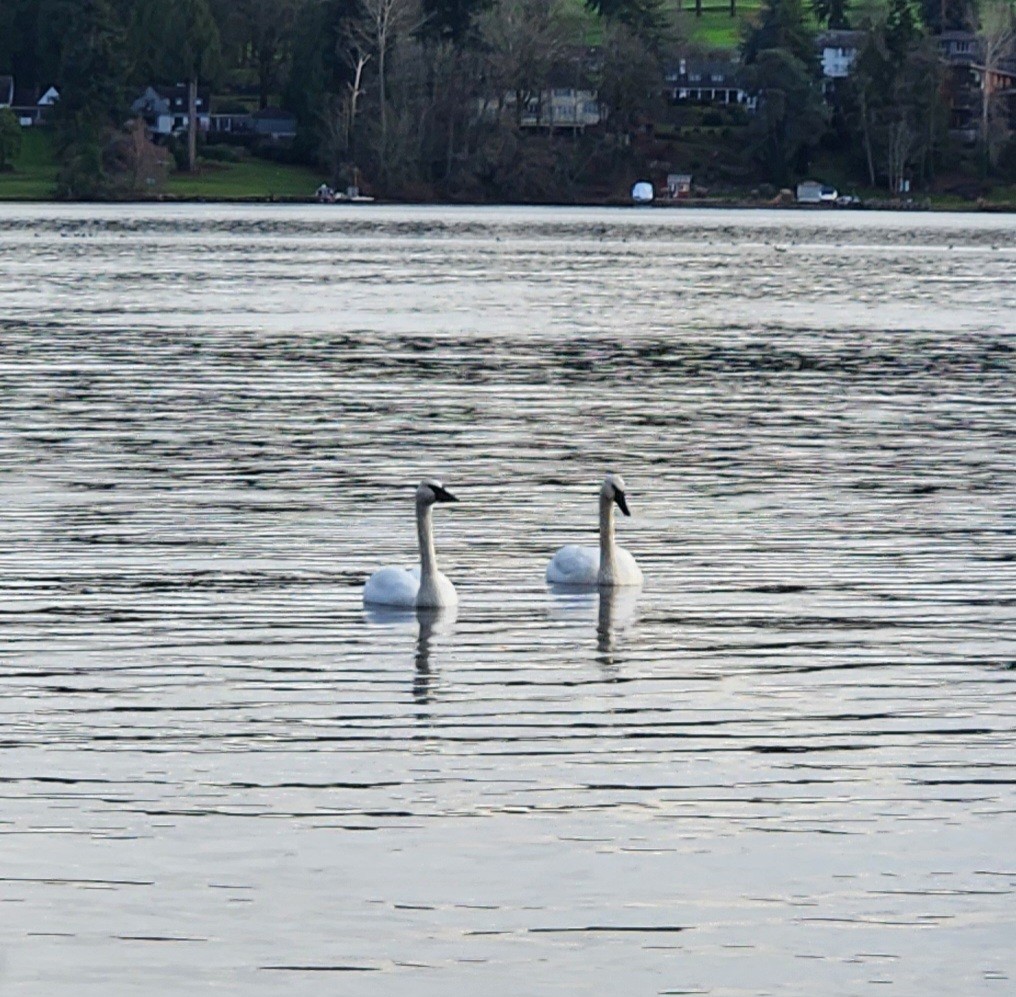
434 100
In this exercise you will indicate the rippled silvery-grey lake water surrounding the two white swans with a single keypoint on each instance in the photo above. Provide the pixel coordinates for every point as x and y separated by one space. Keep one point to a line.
787 767
